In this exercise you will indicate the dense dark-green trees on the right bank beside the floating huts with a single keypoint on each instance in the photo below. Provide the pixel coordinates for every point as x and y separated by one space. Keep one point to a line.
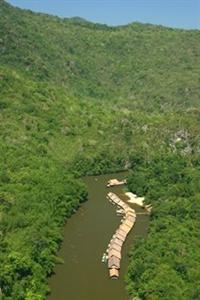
164 265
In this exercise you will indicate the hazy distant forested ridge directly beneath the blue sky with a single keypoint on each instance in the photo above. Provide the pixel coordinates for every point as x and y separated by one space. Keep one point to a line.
136 61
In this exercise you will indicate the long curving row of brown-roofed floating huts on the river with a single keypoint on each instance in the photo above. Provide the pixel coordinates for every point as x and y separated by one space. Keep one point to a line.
115 246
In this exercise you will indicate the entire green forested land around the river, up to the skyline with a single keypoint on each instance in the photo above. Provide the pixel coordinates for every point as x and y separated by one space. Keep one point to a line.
78 98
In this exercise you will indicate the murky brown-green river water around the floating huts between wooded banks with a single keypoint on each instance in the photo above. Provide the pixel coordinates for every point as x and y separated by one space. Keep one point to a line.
86 235
